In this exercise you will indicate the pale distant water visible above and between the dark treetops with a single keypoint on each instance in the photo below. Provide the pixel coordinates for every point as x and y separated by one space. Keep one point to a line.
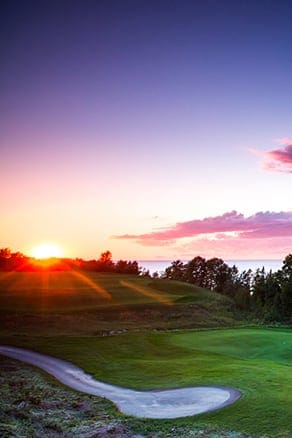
242 265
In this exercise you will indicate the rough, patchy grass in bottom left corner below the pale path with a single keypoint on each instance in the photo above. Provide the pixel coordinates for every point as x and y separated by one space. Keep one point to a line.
34 406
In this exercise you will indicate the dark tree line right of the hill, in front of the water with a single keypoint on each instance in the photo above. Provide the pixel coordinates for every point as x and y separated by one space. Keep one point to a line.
264 295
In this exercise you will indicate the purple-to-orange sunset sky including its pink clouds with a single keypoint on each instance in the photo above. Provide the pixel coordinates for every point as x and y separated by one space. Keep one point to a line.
156 129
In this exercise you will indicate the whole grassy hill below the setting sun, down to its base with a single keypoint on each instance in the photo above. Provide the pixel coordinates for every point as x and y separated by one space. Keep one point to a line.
75 302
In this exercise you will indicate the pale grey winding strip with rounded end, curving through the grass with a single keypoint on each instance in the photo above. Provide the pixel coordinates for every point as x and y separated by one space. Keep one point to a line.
170 403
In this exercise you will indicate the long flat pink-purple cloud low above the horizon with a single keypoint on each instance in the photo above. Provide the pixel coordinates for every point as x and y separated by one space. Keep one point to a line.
229 226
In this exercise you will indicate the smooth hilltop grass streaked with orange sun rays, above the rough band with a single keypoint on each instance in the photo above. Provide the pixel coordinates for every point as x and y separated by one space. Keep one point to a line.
71 291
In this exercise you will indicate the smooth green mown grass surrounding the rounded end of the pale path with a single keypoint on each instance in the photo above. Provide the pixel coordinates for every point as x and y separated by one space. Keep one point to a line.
255 361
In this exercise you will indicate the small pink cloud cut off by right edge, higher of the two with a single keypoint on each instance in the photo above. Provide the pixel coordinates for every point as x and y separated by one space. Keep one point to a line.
278 160
